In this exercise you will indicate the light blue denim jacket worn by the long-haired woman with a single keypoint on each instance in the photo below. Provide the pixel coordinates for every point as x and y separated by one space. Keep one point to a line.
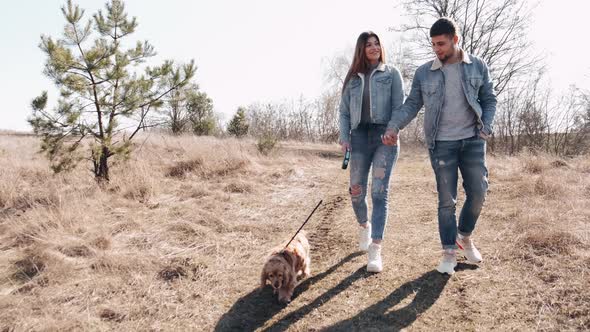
386 96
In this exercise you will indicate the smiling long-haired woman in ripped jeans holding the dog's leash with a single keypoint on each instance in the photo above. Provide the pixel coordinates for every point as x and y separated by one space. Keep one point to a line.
371 91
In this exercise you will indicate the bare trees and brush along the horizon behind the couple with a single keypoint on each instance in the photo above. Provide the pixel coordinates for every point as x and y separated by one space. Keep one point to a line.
529 116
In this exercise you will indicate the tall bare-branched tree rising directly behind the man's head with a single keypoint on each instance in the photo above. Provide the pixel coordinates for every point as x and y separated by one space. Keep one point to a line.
495 30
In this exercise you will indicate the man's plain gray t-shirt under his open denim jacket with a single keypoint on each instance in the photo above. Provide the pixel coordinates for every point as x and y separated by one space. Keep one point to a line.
457 119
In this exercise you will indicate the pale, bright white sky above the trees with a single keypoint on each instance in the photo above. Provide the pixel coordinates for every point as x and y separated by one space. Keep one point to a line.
253 51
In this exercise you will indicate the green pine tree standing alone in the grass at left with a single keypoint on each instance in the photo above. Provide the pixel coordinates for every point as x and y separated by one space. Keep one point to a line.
100 87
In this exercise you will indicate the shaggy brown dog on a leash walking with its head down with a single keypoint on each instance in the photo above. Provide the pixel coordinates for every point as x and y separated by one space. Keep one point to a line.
285 265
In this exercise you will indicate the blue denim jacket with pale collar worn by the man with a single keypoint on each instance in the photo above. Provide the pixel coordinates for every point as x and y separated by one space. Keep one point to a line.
428 89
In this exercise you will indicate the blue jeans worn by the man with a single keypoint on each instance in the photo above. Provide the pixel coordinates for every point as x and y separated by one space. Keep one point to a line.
469 156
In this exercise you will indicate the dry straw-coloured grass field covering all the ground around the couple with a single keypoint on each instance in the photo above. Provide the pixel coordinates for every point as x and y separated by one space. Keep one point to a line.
176 242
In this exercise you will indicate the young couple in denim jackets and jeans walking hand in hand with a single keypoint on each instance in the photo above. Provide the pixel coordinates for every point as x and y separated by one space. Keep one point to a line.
456 90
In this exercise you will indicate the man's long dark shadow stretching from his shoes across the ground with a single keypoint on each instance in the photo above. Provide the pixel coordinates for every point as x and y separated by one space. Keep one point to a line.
380 317
